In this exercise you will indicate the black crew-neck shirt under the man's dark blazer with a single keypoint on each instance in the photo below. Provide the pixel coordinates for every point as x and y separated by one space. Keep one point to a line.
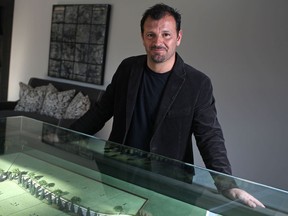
148 100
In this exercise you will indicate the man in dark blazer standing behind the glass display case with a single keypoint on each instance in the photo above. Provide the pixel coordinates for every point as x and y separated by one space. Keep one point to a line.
158 102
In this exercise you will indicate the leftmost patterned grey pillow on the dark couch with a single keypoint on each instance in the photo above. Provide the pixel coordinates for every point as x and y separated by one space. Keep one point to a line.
31 99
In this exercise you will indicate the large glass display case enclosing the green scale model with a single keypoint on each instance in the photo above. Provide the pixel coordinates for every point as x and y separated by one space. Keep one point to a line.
49 170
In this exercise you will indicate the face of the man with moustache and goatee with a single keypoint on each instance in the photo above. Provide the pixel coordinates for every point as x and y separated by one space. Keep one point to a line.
160 39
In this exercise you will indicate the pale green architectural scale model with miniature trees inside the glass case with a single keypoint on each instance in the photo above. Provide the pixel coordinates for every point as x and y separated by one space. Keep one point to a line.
54 189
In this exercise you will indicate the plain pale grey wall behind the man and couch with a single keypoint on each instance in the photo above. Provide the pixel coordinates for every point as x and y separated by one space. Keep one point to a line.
241 44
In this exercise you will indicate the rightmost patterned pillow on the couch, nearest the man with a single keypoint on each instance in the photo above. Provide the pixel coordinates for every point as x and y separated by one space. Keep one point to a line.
78 107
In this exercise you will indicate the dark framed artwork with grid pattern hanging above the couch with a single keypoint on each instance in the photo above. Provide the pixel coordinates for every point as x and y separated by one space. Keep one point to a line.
78 42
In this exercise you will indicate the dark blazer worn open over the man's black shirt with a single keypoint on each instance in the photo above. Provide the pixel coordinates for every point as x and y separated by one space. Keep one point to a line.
187 107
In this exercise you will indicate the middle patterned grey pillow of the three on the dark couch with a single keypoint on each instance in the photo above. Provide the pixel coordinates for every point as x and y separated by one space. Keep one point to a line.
56 103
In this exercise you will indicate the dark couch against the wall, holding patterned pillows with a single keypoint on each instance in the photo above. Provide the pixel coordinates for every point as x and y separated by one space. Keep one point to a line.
8 108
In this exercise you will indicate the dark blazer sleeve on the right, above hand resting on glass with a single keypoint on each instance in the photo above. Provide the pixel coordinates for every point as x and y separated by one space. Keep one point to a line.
208 132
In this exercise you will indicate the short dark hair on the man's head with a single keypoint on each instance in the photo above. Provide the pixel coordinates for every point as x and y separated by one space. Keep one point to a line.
158 11
